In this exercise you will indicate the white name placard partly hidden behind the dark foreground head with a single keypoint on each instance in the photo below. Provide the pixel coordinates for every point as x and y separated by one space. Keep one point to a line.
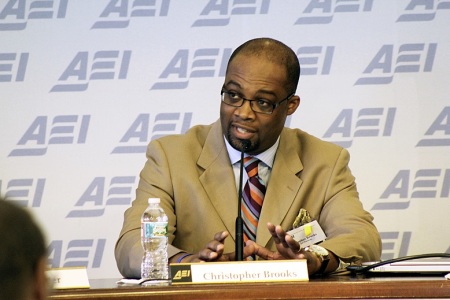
69 278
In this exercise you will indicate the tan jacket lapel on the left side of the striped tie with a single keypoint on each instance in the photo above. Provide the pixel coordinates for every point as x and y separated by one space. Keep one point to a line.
218 179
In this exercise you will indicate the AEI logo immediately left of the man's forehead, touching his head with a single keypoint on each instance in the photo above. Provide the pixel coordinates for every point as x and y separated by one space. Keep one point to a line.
186 64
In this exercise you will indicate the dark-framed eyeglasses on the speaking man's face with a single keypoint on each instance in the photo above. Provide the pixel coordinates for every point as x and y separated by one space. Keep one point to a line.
259 105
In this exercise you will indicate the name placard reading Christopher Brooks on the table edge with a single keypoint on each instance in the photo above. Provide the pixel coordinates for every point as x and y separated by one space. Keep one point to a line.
235 272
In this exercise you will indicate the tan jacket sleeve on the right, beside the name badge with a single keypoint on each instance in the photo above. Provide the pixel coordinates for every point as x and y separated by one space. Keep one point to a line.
351 233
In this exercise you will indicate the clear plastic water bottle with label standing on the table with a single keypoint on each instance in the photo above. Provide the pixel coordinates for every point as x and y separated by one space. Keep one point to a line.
154 236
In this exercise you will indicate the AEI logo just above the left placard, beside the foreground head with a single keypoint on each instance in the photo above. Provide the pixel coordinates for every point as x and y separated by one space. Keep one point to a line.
76 253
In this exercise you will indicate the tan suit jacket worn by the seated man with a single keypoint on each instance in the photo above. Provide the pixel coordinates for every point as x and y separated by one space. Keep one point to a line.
193 176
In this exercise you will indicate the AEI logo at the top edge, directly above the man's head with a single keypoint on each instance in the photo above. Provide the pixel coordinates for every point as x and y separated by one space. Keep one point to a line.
219 12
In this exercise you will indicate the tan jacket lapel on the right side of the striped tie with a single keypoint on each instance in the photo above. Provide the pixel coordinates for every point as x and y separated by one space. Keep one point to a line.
282 188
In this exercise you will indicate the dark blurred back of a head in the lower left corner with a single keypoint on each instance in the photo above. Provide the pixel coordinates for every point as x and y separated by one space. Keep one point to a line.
23 257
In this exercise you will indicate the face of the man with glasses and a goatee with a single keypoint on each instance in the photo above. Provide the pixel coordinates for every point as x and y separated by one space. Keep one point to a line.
255 78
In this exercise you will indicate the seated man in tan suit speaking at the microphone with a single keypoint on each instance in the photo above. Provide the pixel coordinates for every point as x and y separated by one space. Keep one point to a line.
196 175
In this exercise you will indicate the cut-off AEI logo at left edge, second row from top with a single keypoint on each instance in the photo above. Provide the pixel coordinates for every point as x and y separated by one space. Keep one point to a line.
13 66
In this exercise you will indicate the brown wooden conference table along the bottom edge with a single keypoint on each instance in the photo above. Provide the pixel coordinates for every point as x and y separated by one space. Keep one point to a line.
331 287
